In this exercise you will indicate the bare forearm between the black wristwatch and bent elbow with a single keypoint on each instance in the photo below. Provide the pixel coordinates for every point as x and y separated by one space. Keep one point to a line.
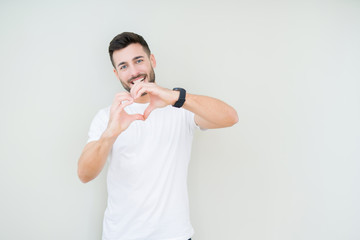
210 112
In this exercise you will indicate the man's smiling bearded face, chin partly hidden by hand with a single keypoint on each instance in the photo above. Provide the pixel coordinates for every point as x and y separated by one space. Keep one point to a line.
133 65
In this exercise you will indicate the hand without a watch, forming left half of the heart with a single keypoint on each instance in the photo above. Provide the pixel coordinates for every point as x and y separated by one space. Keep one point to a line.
120 120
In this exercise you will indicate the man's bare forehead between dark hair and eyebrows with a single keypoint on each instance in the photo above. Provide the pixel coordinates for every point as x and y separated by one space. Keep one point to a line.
129 53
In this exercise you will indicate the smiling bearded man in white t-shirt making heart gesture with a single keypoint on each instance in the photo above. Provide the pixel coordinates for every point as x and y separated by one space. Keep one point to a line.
147 134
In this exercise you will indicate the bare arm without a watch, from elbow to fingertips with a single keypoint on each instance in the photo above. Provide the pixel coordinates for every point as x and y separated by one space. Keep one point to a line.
94 155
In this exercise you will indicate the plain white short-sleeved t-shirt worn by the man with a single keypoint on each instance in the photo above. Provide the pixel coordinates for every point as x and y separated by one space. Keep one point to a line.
147 175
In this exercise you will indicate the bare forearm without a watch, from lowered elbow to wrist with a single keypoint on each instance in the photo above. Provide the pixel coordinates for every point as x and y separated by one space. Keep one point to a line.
93 158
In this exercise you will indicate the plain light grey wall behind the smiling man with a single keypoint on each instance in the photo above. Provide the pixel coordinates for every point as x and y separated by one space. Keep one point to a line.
288 170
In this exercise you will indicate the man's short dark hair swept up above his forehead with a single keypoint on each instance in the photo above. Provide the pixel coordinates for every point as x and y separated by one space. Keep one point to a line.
125 39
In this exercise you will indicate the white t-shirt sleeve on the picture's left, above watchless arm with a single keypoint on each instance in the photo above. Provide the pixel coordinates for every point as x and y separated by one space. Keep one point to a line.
98 124
